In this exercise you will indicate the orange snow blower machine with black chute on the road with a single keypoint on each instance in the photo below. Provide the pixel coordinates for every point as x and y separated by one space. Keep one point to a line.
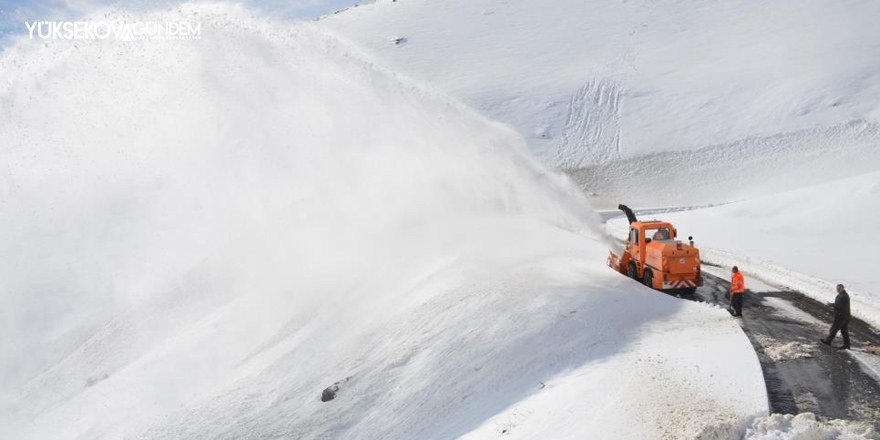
652 255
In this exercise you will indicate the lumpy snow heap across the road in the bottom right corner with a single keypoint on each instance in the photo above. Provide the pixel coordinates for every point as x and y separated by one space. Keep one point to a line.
806 427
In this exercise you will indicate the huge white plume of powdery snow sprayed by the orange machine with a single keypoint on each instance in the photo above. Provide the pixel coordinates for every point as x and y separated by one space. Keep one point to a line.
172 211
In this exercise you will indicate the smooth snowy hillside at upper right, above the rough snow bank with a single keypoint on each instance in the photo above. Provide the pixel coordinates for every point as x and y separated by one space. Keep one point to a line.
593 81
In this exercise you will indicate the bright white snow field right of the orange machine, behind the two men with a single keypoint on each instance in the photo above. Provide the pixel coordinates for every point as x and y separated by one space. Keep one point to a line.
822 231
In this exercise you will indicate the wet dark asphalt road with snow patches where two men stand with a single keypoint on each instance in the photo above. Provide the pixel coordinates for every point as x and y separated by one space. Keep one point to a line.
827 381
